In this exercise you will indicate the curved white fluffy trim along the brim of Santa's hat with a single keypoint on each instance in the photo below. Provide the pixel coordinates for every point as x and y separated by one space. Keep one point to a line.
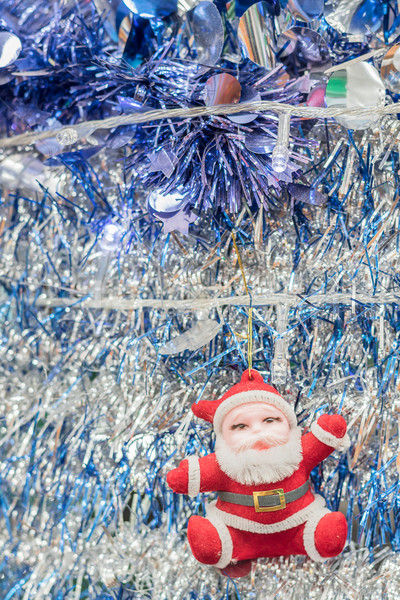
253 396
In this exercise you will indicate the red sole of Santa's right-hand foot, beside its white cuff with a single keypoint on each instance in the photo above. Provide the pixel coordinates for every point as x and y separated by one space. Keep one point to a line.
330 534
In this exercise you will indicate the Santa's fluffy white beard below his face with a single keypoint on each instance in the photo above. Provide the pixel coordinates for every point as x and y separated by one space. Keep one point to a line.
253 467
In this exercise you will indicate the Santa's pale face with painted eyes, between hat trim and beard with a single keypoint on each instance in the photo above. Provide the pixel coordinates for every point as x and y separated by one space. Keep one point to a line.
255 426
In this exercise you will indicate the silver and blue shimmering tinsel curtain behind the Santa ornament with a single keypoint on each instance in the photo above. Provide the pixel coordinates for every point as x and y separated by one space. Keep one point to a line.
93 414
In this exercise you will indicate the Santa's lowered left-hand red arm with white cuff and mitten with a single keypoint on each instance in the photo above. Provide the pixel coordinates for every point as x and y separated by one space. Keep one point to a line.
195 475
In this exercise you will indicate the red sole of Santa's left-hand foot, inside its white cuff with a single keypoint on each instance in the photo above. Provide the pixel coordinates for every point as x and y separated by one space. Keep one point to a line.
204 540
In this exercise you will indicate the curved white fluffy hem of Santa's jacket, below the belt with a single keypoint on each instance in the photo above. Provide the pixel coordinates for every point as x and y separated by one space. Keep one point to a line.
243 524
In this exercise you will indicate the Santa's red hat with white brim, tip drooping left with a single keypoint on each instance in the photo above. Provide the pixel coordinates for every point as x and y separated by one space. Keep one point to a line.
250 389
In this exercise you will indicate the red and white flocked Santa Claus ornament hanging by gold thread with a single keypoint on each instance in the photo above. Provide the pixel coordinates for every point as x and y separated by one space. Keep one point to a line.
260 470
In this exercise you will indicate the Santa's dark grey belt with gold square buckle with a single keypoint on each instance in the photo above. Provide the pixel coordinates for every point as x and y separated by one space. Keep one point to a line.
265 501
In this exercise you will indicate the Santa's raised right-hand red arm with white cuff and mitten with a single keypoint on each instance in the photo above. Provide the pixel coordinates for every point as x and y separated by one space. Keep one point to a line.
327 434
